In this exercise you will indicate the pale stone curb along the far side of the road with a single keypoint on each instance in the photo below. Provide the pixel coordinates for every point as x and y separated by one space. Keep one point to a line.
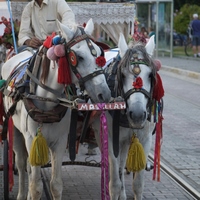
190 74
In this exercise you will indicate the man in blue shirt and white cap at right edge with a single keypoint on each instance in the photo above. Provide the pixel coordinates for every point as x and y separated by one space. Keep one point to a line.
195 26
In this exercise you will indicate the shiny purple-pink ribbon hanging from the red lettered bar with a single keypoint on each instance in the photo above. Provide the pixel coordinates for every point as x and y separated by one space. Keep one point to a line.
104 155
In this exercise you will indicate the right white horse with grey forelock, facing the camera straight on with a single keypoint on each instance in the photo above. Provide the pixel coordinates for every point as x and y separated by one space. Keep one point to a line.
135 62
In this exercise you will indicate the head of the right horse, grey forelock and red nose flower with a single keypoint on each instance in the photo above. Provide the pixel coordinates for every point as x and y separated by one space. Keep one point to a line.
136 76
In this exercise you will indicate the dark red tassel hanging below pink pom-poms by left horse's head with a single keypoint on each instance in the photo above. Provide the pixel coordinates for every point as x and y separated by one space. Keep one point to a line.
64 74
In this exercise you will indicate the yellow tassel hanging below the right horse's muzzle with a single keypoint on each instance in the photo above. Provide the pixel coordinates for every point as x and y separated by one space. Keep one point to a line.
136 160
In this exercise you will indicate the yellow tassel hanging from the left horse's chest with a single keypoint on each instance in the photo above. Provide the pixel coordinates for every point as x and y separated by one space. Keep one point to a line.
39 150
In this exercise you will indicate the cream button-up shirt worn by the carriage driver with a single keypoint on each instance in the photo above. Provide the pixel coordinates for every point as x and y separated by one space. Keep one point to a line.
40 22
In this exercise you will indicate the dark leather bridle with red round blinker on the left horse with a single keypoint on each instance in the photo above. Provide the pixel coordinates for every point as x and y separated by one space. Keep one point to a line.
73 59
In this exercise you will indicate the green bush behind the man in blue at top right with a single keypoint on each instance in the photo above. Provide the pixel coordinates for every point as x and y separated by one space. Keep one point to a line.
184 16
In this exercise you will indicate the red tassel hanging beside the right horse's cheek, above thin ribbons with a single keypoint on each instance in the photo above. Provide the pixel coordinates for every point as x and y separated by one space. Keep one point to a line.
158 91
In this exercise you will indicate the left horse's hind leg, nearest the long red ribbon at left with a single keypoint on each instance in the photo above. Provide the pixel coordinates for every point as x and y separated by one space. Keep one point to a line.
20 160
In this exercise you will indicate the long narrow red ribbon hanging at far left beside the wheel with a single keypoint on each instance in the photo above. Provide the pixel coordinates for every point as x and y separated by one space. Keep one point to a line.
10 153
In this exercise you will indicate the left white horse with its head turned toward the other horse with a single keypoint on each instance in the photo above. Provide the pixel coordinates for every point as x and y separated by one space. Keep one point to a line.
82 53
